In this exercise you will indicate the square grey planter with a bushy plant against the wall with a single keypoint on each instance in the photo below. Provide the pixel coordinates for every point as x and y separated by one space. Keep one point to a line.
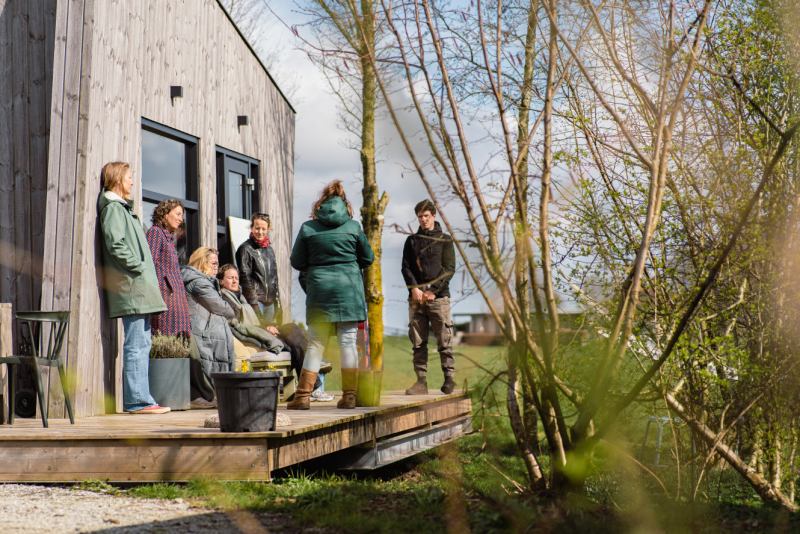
169 371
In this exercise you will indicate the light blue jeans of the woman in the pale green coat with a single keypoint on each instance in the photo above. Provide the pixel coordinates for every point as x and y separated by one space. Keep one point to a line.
136 363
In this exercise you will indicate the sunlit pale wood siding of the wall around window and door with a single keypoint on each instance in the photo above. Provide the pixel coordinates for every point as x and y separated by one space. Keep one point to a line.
115 65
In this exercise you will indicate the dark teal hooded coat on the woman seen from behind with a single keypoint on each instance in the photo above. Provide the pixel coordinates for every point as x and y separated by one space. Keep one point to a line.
332 249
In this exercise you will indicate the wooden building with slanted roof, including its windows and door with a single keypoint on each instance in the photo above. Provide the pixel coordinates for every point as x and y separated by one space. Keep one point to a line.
170 86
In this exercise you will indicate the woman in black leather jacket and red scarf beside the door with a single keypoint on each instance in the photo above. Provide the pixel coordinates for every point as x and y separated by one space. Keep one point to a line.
258 272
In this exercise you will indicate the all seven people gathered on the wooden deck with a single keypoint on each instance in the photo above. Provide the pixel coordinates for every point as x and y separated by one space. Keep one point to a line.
222 309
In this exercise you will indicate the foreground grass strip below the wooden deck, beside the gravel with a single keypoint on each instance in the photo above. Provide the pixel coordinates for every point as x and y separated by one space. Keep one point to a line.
460 487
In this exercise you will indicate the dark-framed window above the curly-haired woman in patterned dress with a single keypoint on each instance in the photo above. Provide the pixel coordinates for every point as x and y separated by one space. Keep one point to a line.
169 170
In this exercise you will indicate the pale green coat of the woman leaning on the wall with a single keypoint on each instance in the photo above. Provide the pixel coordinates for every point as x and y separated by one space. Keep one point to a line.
130 277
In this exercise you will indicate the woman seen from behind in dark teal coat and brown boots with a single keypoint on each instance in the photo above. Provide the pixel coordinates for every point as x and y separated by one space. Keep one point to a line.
332 250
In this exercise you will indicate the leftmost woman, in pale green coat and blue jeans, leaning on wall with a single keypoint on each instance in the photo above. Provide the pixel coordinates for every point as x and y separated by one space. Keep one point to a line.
131 284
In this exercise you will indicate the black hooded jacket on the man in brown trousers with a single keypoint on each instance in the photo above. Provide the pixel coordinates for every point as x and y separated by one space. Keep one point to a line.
429 261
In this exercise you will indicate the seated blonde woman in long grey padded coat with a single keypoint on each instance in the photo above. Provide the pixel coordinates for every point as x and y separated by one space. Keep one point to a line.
209 314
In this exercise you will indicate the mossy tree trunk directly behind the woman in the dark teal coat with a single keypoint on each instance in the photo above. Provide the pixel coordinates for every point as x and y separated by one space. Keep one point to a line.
374 204
